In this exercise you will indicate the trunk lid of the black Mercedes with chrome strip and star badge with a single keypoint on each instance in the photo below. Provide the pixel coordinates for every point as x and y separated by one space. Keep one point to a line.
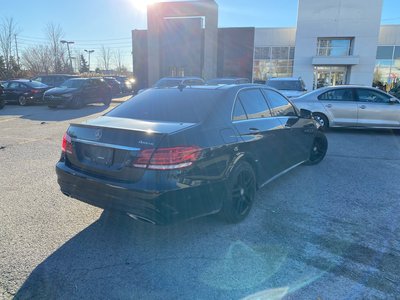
108 147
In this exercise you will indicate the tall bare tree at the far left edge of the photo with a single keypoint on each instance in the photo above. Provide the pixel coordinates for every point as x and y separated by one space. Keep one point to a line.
8 30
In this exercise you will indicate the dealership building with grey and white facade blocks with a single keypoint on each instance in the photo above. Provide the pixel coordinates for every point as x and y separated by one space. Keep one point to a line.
335 42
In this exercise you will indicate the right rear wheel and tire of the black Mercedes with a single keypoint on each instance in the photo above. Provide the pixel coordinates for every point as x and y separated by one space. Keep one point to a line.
241 190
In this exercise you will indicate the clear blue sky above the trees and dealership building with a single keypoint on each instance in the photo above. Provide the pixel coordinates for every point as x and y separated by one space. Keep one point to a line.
92 23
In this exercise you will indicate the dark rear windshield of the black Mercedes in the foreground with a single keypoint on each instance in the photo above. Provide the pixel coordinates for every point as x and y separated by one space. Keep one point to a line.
169 105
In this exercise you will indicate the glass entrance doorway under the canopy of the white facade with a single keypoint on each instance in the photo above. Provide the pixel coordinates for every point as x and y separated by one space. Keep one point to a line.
329 75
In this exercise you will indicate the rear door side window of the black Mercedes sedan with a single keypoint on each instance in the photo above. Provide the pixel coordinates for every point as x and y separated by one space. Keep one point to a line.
254 104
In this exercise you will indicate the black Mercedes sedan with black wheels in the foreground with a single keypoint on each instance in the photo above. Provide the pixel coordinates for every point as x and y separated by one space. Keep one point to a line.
180 153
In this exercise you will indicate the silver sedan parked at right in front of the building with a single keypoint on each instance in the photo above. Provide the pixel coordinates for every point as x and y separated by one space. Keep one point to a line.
352 106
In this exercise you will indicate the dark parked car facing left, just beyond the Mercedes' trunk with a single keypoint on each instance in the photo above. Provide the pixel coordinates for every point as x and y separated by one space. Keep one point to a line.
78 92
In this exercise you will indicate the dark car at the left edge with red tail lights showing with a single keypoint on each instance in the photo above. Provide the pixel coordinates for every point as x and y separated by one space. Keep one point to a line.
24 91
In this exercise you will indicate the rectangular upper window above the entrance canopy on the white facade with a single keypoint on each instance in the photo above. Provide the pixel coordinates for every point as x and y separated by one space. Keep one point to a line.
334 46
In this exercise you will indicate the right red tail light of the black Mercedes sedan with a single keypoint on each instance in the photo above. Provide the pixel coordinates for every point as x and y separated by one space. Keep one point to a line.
167 158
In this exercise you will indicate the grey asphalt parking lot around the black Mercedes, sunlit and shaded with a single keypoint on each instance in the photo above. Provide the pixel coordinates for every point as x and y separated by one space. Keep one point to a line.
330 231
